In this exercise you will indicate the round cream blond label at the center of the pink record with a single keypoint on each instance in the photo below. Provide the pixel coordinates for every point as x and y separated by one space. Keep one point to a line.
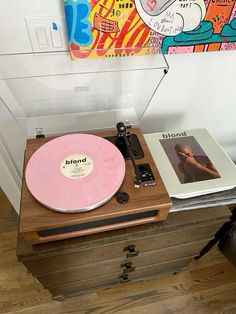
76 166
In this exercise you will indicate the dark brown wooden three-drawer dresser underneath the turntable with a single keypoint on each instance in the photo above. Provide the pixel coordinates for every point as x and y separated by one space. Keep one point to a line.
89 262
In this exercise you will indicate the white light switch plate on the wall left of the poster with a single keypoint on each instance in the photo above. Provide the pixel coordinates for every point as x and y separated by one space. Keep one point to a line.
47 33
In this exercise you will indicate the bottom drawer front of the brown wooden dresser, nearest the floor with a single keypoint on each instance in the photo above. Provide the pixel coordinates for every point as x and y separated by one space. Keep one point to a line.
109 280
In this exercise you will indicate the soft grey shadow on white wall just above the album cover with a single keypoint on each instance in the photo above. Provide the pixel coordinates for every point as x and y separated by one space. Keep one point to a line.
163 122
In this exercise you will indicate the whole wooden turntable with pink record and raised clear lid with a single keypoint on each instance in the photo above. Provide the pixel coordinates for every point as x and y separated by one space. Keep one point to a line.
92 97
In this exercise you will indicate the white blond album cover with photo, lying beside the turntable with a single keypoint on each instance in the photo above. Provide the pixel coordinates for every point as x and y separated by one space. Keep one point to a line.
191 162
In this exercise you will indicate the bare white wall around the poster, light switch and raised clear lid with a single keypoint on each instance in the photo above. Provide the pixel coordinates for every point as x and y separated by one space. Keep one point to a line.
198 91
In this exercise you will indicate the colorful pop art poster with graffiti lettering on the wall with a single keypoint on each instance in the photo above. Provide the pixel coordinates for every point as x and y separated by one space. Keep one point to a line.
117 28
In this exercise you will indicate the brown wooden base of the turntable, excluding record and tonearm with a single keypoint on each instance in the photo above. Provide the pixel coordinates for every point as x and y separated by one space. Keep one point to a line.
39 224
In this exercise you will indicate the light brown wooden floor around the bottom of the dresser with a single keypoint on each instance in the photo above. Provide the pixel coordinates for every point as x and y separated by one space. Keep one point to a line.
209 286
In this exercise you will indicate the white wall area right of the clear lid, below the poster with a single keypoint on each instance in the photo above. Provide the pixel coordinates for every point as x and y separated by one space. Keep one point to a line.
198 91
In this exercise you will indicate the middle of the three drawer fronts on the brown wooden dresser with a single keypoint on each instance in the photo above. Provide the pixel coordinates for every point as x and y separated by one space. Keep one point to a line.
120 265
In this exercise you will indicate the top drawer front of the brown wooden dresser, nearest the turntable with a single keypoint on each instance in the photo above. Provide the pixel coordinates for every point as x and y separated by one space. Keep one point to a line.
67 260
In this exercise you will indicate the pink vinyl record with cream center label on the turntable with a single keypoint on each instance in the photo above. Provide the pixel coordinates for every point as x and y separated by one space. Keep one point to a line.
75 173
